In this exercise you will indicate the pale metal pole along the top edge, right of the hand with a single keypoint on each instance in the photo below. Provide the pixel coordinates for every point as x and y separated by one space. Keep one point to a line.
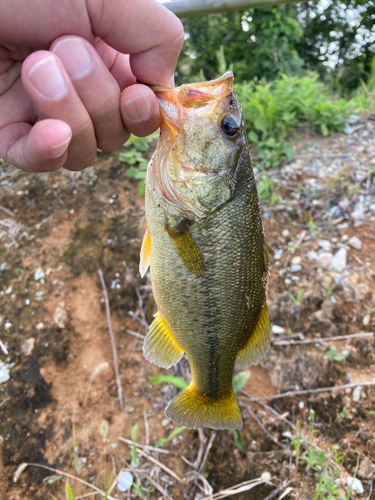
192 8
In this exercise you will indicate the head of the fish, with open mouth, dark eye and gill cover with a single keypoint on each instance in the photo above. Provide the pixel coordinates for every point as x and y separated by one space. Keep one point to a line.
201 136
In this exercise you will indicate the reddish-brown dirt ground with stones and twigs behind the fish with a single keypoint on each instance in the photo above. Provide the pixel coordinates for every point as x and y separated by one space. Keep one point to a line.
60 408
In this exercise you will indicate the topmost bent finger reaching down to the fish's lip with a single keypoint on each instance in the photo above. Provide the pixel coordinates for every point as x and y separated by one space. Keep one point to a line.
145 29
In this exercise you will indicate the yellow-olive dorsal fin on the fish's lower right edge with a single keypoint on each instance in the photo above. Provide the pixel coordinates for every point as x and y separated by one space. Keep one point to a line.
258 343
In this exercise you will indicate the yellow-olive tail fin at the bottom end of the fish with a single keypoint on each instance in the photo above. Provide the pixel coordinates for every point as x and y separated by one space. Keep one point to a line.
194 410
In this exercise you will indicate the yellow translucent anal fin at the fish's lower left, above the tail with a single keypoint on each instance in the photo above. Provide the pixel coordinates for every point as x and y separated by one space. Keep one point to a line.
159 346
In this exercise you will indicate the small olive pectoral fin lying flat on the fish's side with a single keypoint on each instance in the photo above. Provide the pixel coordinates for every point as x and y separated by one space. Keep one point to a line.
187 248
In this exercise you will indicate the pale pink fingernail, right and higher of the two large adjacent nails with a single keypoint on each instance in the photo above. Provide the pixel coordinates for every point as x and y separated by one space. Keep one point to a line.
74 56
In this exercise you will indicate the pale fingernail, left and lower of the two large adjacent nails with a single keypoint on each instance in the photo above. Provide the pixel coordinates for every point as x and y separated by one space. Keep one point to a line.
47 77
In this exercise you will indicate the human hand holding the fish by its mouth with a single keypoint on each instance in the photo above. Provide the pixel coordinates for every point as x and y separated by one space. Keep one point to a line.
68 75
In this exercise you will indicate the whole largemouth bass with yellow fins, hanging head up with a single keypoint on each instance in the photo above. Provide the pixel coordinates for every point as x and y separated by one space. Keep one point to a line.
205 247
